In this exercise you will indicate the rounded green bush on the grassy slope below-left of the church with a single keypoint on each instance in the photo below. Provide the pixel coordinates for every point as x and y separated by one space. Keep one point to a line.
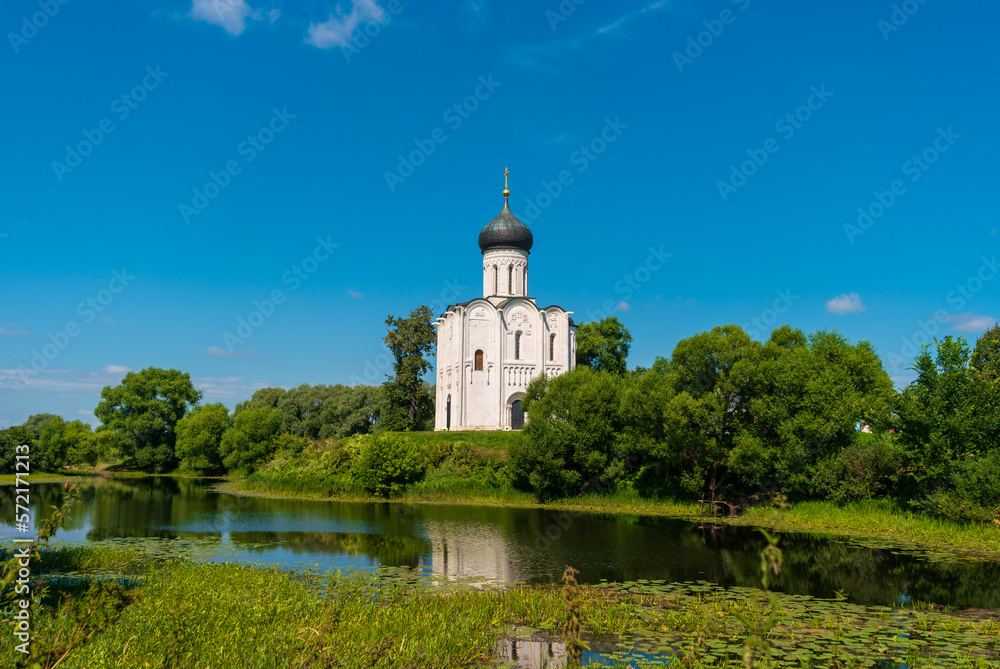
388 464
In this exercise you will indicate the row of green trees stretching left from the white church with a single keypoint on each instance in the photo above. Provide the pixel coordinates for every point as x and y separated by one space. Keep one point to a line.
154 421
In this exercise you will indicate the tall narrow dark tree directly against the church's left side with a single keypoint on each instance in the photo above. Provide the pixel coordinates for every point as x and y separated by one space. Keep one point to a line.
409 340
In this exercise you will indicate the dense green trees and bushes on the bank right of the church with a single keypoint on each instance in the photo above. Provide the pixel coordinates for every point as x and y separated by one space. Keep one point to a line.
813 417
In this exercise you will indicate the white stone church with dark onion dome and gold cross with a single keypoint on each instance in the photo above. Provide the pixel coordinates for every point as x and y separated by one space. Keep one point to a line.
491 347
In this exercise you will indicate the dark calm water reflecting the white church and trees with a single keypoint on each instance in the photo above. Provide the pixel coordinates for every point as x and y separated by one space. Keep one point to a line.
497 543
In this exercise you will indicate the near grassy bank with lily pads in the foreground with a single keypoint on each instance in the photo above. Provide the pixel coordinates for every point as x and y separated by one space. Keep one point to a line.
183 614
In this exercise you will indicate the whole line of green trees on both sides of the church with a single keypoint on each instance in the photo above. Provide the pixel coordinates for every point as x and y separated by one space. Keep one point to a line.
724 417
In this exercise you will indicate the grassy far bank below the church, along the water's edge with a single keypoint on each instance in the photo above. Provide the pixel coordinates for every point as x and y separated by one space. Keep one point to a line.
470 468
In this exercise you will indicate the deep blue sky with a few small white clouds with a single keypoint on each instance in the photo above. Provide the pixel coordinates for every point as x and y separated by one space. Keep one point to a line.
171 167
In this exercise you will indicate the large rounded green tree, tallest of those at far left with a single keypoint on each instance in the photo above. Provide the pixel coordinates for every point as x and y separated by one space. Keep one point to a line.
144 410
